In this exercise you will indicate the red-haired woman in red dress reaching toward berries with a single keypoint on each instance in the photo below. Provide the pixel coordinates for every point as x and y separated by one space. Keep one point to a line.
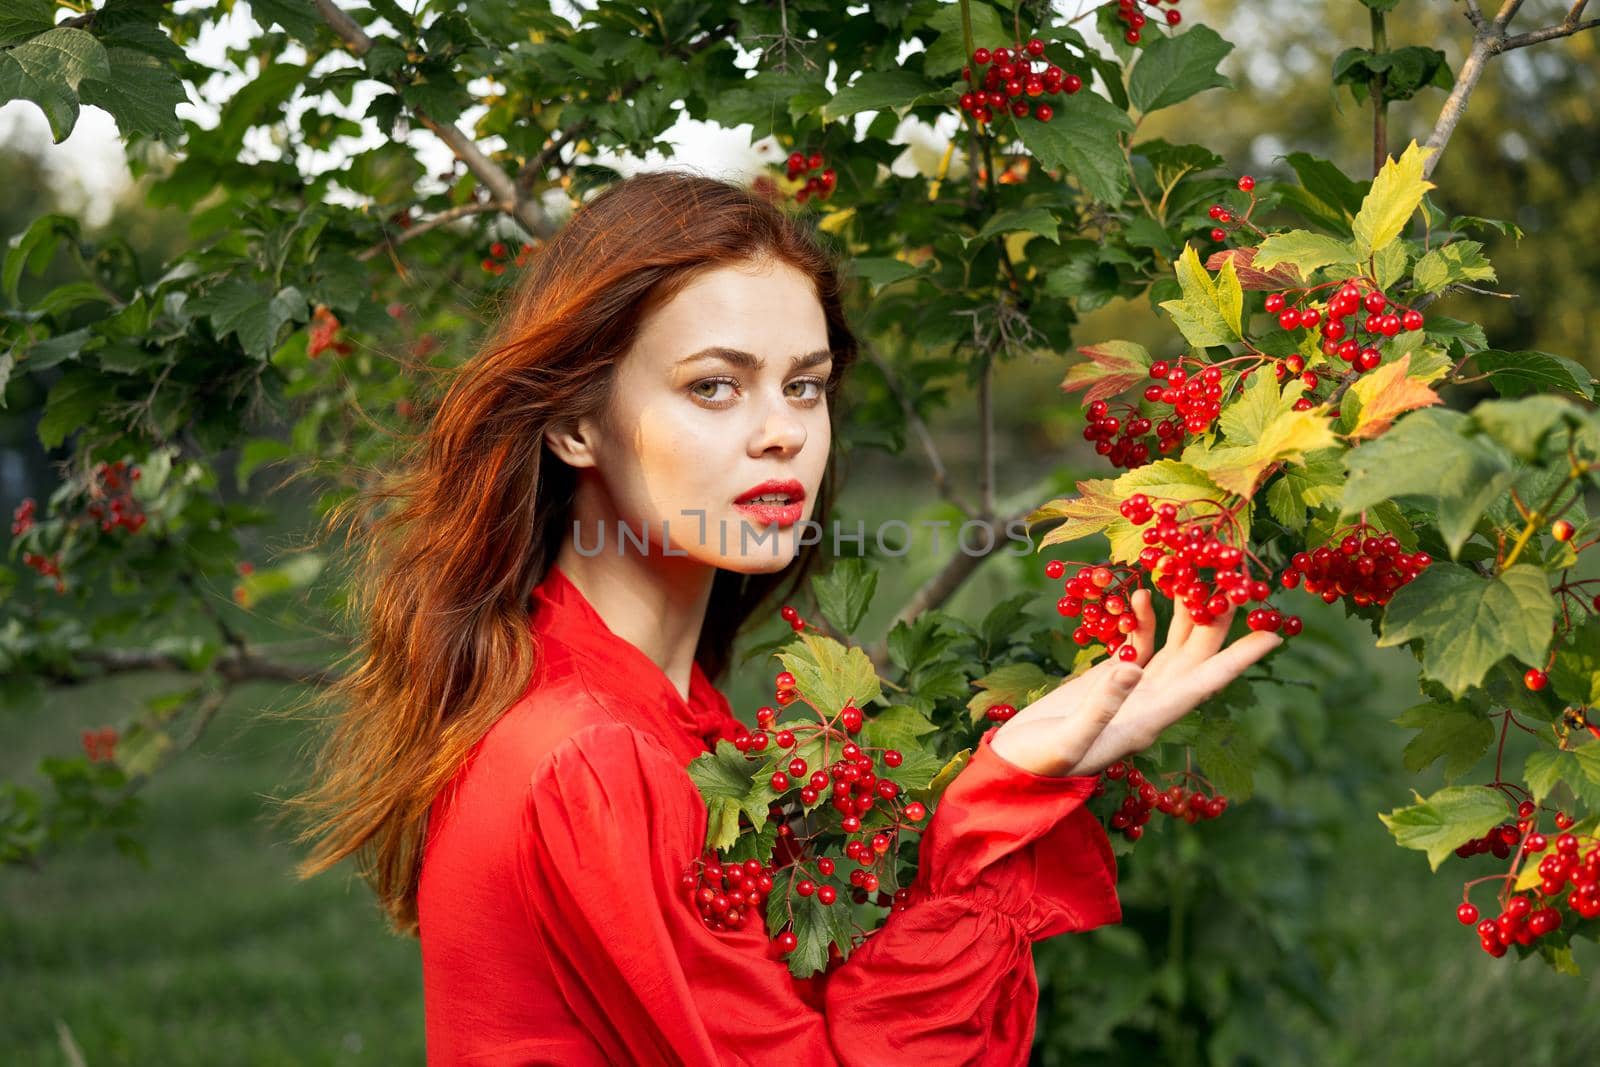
511 765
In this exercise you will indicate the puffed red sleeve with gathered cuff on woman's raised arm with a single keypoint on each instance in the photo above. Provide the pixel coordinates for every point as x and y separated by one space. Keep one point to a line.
612 825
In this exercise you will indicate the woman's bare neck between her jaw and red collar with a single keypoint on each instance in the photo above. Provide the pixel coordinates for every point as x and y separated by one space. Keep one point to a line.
654 602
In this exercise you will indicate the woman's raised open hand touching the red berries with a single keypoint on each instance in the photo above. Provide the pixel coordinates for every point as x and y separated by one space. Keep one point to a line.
1119 708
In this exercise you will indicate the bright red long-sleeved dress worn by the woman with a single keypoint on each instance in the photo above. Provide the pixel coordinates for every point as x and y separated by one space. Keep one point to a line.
554 929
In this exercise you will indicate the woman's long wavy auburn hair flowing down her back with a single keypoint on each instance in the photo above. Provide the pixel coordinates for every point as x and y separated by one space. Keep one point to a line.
478 508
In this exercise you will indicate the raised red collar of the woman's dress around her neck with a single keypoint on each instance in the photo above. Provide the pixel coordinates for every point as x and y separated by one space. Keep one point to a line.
564 613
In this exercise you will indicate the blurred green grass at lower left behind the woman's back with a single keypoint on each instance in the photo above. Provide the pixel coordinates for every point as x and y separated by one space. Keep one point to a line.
214 956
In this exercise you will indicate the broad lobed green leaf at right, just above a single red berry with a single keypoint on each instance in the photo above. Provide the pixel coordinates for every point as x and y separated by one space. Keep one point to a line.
1470 623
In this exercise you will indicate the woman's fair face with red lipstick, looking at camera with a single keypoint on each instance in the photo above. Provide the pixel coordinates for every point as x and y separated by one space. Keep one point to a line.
722 394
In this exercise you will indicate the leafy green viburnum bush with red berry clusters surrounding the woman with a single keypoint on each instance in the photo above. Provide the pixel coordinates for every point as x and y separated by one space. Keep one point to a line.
1324 422
